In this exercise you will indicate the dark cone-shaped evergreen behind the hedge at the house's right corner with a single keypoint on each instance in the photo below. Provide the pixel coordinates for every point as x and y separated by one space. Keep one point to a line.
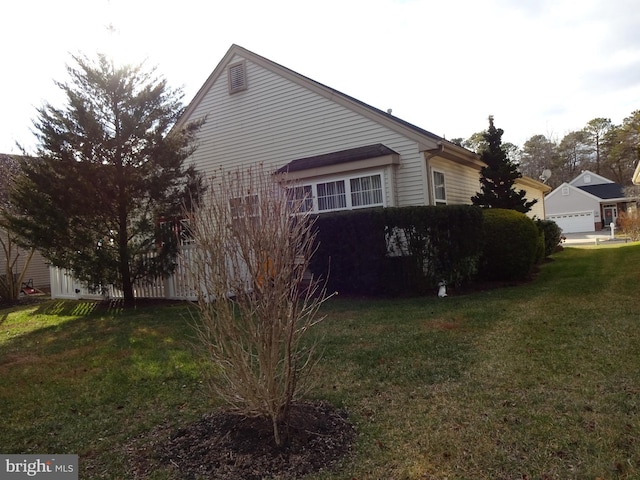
497 179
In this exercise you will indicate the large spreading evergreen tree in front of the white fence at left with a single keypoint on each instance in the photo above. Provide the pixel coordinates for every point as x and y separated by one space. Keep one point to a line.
108 168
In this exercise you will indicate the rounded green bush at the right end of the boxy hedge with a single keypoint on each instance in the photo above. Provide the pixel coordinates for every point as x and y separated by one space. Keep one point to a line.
510 245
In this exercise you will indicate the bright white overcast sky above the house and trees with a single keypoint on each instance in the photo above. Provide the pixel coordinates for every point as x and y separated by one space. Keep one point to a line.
538 66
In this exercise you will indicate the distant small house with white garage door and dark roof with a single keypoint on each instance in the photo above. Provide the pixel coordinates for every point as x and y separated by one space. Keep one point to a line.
587 203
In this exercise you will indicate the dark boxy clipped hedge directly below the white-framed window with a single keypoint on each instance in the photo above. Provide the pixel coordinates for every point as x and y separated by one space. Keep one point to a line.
398 251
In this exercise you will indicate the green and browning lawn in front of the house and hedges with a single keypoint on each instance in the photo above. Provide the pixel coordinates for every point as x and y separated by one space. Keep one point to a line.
538 381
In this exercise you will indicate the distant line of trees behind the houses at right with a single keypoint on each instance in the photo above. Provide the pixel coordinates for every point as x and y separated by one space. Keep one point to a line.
601 146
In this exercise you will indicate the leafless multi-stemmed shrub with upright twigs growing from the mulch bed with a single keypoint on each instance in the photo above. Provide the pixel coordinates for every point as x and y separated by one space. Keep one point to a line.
254 239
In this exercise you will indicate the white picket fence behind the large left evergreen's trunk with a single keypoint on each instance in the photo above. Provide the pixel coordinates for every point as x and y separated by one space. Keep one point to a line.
179 286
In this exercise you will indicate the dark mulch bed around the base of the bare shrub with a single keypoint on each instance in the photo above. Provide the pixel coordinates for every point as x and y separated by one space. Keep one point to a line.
230 446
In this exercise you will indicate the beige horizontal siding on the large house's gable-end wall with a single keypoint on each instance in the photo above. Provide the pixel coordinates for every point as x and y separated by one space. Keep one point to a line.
276 120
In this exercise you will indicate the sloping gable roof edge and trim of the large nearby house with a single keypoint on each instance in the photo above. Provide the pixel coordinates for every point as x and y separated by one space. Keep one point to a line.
424 138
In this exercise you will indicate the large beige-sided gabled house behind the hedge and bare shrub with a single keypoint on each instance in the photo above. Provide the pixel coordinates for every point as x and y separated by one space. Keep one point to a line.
343 153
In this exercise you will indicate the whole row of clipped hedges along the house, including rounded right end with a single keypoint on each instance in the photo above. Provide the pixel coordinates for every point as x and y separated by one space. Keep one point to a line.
408 251
